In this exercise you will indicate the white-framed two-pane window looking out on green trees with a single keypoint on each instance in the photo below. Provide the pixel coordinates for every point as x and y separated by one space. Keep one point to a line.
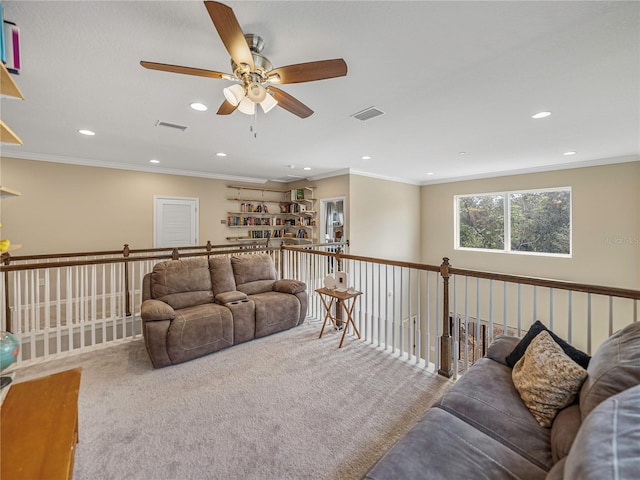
537 221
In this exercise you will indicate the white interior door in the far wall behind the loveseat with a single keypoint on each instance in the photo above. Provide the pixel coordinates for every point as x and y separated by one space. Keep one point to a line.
175 222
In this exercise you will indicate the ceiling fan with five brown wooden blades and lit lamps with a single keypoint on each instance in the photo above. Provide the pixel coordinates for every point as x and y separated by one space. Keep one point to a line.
253 71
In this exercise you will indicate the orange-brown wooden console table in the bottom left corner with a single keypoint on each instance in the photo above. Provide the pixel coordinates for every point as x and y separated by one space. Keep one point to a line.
39 427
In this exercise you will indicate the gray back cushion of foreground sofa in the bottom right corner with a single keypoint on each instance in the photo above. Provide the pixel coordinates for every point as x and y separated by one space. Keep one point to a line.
608 444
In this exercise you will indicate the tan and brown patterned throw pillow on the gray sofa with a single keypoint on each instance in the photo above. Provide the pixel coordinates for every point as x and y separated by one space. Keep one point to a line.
547 379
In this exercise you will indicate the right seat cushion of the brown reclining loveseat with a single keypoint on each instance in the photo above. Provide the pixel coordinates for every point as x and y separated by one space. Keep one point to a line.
275 312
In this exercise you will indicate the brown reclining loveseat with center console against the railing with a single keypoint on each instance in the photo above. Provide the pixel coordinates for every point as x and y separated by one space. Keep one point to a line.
196 306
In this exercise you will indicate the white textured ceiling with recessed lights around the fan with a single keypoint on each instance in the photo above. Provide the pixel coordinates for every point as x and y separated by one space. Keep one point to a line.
451 77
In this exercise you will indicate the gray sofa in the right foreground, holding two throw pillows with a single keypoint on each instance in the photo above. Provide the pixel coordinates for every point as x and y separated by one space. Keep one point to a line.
481 429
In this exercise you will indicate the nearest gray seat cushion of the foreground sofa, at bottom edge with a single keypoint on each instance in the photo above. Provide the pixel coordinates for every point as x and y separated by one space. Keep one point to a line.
443 447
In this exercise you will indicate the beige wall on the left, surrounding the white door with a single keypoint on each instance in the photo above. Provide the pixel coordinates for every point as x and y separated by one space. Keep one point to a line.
68 208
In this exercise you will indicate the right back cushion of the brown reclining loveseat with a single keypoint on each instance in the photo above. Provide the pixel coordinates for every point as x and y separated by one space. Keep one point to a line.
254 273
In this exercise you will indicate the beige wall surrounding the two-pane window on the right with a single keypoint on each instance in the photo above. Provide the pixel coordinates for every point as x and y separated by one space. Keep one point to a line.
606 226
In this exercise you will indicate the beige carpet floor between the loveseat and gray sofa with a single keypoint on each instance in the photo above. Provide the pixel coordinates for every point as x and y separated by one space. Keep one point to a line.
287 406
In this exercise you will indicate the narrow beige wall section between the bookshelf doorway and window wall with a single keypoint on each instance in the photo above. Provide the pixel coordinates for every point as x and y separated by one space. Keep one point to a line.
384 219
